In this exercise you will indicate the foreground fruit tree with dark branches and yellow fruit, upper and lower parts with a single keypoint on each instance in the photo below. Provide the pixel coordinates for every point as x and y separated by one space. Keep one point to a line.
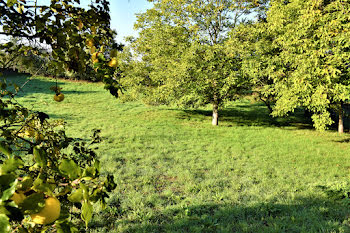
48 181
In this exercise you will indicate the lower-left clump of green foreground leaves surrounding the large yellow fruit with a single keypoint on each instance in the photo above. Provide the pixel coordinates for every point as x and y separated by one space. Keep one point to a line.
39 160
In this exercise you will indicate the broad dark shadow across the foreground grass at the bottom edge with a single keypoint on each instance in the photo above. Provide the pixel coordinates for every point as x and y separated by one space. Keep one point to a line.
306 215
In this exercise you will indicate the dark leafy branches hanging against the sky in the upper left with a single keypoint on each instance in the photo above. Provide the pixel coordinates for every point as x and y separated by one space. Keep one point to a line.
72 34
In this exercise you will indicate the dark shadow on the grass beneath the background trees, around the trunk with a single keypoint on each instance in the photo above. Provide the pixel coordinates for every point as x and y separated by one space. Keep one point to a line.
251 115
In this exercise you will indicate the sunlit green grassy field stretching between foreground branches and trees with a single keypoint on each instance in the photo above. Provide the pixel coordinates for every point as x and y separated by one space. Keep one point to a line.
177 173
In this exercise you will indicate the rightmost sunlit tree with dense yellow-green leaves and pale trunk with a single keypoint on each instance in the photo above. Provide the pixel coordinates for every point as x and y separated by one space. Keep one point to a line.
310 63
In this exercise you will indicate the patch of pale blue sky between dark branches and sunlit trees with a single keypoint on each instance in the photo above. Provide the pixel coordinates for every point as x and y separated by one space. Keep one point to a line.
123 16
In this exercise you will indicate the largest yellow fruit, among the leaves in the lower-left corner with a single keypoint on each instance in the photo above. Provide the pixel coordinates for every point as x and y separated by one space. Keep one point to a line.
49 213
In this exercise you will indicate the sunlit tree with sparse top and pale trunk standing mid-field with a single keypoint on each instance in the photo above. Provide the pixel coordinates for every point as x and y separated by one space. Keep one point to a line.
181 47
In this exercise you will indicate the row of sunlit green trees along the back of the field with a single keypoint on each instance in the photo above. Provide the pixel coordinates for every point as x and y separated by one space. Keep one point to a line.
290 53
